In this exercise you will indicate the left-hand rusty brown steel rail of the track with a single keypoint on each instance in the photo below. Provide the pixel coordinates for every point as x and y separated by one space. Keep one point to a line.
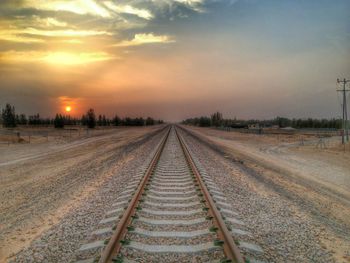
114 244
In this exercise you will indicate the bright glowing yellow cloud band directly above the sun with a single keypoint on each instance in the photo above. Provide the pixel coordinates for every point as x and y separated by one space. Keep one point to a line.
56 58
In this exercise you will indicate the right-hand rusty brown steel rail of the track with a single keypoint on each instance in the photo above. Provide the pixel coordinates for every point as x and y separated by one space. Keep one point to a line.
230 249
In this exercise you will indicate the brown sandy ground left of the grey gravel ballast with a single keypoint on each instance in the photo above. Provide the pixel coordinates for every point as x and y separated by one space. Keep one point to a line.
42 181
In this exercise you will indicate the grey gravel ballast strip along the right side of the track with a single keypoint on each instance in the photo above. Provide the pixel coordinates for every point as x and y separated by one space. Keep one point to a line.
277 225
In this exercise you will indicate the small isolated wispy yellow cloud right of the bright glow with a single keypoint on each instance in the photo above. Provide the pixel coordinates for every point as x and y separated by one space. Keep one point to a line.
141 39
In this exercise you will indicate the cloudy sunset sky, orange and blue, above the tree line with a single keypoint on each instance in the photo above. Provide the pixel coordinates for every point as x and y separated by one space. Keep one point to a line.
175 59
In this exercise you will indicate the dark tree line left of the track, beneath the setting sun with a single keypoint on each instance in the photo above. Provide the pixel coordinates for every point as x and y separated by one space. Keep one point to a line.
10 119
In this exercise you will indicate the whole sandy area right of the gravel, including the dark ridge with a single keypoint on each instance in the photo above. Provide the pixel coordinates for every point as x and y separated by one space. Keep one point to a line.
315 180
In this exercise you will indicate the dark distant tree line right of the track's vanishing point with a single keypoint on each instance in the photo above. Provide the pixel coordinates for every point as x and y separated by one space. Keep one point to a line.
217 120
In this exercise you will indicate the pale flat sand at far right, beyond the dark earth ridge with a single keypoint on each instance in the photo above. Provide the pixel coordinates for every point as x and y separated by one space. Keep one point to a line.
329 167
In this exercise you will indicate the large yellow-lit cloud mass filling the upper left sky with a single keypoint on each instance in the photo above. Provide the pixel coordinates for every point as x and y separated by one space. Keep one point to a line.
69 32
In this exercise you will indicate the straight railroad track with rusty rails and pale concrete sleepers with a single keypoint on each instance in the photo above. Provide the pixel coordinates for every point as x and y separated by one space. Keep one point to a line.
172 215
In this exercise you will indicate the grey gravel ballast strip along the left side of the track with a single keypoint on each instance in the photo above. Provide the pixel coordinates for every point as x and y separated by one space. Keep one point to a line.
61 242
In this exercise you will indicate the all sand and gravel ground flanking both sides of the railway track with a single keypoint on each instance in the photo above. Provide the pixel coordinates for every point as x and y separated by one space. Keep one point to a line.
292 196
